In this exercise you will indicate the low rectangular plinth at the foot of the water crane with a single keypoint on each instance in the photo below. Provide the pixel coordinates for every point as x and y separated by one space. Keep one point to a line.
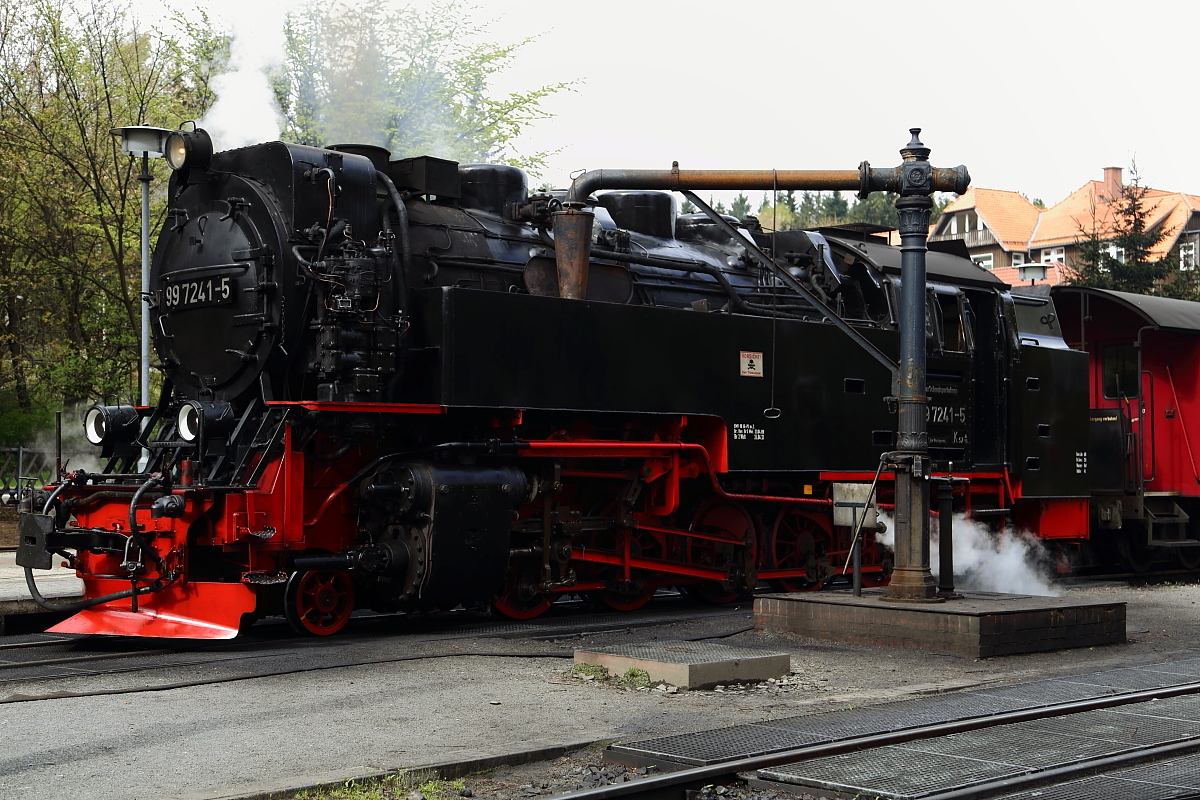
981 624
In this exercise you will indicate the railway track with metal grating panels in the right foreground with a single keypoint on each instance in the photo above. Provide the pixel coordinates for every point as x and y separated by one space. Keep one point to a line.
1115 747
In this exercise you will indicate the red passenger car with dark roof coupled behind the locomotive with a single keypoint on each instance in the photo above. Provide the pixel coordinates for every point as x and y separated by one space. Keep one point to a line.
1144 381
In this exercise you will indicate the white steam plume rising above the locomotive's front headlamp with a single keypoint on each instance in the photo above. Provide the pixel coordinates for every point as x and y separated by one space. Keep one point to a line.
245 111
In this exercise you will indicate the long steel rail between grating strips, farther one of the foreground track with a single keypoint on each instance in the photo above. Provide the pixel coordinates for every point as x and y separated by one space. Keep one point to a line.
673 785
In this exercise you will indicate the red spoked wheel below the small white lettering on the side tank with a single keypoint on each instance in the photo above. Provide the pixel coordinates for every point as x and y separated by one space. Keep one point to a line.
733 521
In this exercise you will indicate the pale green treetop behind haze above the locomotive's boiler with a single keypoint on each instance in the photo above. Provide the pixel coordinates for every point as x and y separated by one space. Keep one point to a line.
415 82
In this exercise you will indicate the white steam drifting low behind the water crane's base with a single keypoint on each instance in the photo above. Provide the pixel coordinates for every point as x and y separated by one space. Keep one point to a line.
988 562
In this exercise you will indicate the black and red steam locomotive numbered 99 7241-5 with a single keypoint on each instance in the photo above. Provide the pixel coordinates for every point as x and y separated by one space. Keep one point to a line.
380 394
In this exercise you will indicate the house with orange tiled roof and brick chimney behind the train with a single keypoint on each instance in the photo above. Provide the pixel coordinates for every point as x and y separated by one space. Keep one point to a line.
1005 232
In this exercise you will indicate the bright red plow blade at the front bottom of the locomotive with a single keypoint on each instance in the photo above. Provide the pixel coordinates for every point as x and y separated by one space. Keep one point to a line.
197 611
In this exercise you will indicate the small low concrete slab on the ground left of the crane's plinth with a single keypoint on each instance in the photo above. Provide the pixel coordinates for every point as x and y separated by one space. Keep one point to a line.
689 665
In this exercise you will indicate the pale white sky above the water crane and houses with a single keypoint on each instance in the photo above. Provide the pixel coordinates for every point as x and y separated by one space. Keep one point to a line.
1036 98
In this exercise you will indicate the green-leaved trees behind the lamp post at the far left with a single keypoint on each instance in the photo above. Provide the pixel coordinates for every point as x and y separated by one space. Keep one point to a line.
70 209
